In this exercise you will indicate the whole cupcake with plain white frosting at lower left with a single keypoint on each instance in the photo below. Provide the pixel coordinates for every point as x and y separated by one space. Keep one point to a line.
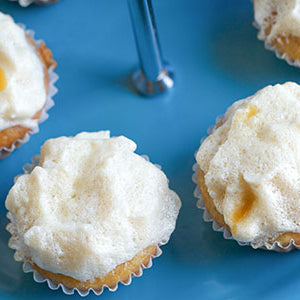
92 213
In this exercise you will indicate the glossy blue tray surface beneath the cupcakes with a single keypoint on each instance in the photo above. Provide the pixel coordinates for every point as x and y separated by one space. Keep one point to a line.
218 59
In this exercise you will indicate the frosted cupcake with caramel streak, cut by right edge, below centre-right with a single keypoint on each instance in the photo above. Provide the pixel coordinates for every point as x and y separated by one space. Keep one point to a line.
248 169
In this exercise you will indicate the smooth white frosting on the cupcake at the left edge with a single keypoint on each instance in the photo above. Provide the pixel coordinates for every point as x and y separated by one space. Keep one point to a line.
22 87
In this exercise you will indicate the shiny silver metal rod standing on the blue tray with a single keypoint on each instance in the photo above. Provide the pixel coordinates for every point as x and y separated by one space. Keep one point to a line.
154 75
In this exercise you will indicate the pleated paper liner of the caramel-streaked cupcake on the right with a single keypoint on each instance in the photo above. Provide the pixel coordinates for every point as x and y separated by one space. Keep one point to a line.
276 246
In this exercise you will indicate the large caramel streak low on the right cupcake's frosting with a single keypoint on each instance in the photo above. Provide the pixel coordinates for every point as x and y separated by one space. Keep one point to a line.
247 201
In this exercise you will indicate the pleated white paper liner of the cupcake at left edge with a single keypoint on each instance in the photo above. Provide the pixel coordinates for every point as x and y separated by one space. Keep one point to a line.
52 90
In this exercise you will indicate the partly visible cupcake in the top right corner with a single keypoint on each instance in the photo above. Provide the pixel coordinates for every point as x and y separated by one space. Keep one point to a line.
278 22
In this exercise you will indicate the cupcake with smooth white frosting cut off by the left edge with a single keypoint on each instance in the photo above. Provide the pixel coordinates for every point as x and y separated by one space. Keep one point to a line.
24 84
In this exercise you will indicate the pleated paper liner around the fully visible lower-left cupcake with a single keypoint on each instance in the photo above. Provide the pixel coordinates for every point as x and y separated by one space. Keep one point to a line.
37 277
